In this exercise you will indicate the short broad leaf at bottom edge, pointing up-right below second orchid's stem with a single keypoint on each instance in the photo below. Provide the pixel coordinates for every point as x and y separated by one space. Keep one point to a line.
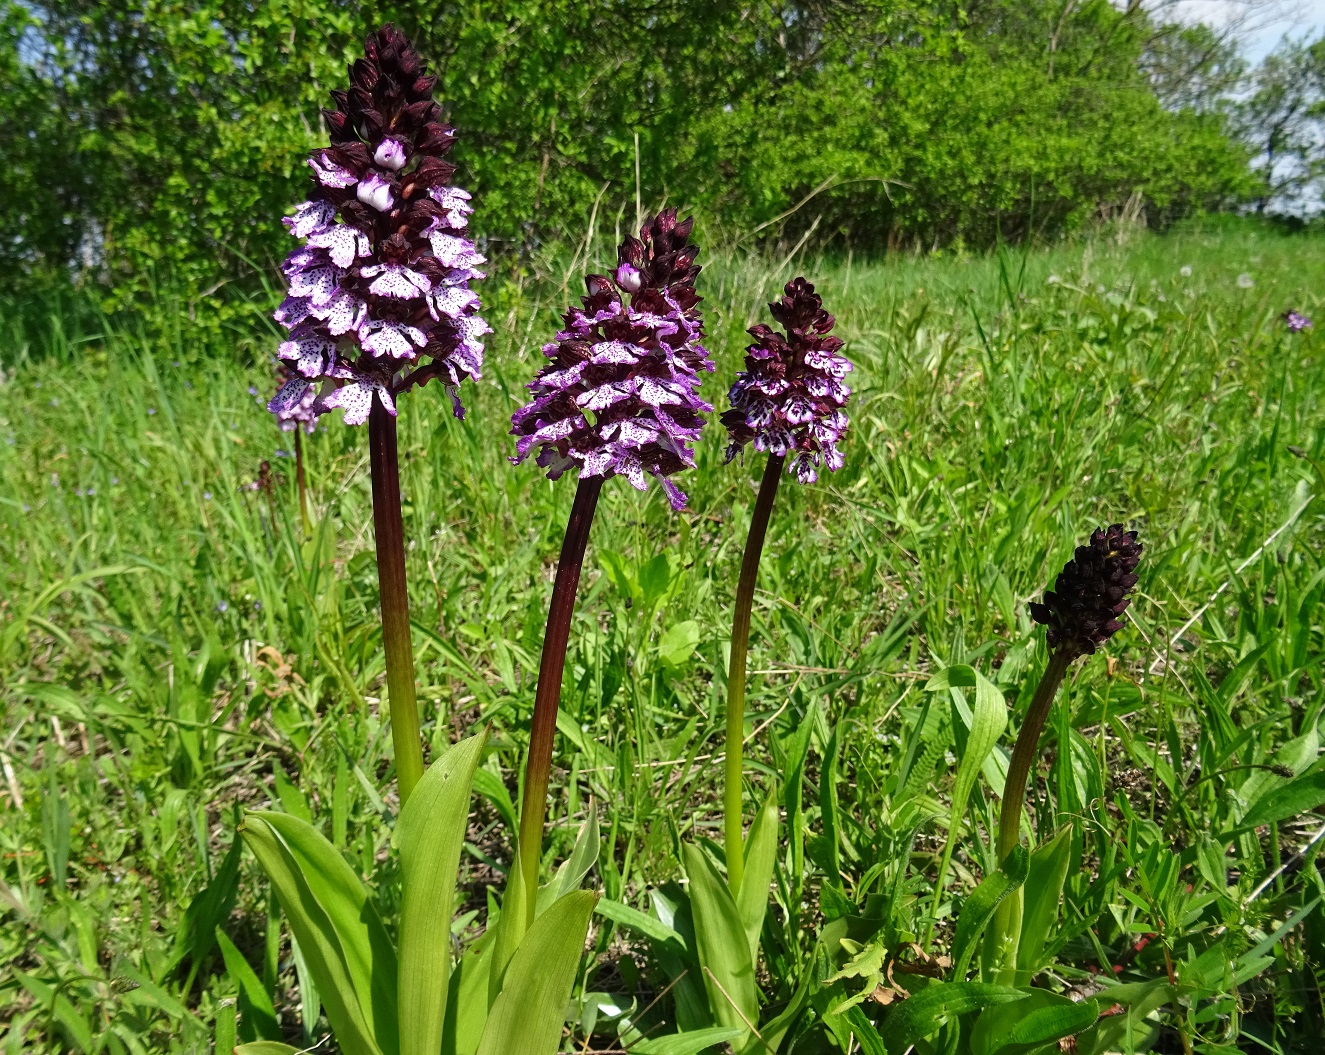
528 1017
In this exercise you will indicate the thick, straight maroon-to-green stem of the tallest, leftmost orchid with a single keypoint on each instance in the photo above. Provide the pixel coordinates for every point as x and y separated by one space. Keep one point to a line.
390 533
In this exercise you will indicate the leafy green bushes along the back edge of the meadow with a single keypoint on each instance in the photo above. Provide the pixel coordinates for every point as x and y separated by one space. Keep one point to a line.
164 139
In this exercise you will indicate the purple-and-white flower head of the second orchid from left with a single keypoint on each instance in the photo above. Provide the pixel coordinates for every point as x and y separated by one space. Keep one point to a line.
622 392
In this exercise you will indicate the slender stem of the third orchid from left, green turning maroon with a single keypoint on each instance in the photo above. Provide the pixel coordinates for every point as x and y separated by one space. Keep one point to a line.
737 667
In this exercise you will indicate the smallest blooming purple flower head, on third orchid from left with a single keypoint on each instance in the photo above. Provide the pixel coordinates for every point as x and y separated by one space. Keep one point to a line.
789 400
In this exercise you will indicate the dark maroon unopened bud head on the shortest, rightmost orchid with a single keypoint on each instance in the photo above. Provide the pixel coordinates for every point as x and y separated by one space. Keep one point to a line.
1083 610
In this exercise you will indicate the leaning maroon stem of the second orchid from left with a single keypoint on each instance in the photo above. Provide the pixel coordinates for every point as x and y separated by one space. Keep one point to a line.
543 730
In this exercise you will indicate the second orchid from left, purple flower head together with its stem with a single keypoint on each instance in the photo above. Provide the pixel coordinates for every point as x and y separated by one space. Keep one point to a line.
619 398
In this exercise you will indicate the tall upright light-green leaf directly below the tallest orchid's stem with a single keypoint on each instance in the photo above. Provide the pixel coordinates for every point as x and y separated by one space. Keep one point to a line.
430 837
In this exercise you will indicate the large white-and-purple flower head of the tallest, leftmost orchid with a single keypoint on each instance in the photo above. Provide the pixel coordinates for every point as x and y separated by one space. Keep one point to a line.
380 294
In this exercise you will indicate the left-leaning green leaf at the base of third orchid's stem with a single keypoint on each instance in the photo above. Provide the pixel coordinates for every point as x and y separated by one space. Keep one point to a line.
723 946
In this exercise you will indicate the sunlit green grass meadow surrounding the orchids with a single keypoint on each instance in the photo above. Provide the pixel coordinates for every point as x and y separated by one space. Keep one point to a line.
173 649
